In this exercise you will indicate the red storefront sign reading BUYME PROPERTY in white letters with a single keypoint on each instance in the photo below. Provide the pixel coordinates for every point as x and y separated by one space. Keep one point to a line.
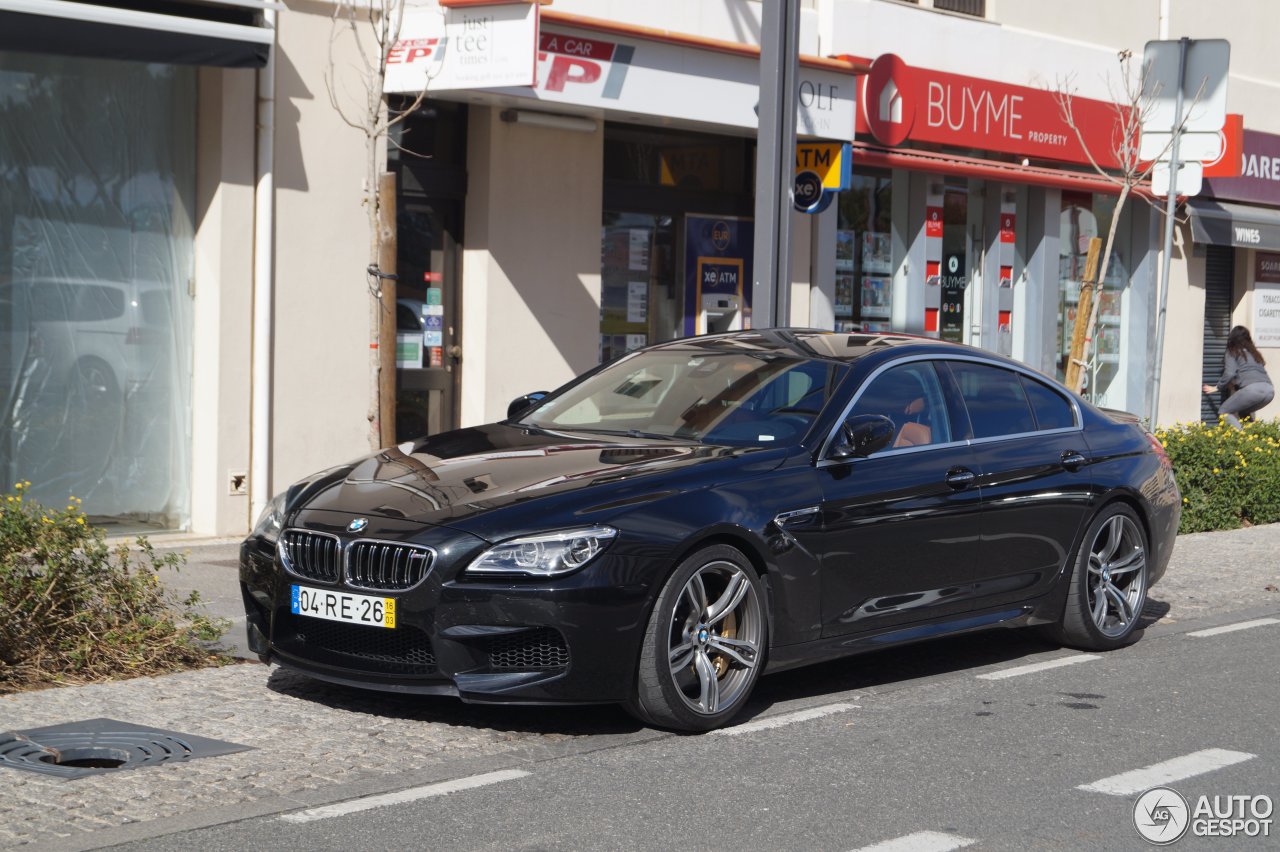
902 103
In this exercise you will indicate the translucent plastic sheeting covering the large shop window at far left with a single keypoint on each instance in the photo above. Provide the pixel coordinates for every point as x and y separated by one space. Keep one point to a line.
97 207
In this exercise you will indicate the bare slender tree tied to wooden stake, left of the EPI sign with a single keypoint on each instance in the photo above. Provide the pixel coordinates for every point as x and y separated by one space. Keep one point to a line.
356 94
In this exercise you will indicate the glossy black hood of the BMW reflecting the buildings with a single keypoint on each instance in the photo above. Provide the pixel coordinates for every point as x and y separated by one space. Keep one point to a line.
451 478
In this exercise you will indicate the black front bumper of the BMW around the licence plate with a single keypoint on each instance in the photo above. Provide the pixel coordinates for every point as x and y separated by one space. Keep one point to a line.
508 642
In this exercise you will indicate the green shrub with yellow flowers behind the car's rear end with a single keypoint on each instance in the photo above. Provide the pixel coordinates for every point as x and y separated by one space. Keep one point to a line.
1228 478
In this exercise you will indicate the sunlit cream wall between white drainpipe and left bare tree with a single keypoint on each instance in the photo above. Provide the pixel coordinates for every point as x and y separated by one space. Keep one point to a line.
322 374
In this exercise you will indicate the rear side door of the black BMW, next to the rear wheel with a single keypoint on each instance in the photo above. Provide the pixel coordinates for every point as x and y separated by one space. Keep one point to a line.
1034 473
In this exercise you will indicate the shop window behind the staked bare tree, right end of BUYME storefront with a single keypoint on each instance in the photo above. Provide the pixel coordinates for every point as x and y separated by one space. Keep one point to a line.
1084 218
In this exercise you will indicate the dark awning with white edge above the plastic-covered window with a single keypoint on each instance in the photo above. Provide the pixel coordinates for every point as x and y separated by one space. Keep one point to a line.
222 33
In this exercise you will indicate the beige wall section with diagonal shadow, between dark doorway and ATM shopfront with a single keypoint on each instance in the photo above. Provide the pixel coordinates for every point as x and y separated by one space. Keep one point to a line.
532 265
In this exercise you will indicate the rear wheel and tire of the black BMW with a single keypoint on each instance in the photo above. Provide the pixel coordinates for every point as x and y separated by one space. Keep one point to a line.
1109 584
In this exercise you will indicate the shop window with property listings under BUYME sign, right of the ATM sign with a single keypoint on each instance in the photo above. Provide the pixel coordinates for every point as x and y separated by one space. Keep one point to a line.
865 267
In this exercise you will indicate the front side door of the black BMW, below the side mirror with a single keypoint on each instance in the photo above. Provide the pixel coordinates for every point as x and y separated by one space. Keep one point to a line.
900 528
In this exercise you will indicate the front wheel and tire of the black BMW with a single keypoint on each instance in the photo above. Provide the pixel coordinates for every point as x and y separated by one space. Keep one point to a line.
706 644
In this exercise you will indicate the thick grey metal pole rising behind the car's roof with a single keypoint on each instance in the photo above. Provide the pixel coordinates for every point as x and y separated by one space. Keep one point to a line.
775 164
